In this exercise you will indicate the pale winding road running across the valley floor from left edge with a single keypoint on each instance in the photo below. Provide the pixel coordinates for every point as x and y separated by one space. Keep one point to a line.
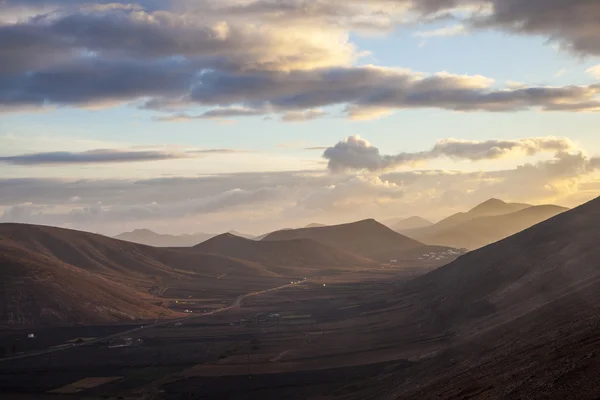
235 304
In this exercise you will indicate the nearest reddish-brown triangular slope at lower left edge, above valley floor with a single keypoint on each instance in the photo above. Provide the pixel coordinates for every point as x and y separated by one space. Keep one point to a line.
40 289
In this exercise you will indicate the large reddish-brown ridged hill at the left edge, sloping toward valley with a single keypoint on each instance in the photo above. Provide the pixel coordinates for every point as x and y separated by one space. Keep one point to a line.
54 276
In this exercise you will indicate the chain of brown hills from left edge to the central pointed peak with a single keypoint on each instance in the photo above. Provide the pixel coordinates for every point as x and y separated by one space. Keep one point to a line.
56 275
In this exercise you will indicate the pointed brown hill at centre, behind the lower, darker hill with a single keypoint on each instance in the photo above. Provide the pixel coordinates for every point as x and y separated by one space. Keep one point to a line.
366 238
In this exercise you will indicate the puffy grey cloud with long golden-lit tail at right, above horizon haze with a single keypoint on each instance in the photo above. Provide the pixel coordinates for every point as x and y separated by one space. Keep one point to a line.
355 153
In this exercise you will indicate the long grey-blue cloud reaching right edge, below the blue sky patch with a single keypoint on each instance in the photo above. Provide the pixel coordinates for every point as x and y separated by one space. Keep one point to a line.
372 87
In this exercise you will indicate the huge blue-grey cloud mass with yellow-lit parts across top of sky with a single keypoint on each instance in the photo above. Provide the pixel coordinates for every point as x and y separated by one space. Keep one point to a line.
260 57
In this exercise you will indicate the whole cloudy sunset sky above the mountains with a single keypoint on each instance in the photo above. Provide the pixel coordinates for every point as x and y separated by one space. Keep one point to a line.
186 116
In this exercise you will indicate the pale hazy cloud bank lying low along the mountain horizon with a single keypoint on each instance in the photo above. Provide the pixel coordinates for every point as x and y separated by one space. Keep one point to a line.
274 200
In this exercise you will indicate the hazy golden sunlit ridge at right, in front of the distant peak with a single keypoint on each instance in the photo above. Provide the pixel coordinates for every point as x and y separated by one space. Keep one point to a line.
482 231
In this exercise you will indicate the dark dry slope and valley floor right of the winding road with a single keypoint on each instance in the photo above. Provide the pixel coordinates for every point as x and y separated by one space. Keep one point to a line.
518 319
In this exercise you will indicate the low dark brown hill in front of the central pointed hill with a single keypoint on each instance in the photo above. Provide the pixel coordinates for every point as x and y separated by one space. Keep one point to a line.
285 253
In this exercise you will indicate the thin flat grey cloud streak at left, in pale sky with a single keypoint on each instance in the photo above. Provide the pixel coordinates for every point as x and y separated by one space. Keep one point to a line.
105 156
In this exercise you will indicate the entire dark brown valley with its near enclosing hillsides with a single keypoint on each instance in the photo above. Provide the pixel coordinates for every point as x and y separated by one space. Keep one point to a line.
301 317
